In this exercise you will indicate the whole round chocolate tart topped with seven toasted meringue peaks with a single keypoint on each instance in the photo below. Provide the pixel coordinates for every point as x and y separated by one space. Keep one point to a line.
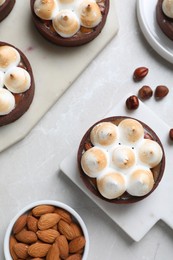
121 160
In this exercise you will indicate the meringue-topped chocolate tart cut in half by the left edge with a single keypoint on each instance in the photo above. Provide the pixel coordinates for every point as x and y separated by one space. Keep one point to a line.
16 84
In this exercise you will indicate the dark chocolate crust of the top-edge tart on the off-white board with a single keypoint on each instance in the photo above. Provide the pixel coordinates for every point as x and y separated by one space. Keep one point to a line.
77 39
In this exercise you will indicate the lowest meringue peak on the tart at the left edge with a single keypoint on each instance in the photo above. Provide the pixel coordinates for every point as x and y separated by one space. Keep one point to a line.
7 102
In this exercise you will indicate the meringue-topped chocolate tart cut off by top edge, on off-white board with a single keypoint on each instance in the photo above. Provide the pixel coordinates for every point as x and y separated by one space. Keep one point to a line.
69 22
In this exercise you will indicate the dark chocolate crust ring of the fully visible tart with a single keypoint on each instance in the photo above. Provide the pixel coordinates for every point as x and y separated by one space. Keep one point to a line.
126 198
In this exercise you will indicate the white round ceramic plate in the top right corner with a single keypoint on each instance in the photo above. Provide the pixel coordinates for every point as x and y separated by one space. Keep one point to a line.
147 20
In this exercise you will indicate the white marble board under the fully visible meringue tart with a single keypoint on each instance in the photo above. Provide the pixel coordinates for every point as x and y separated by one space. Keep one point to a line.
138 218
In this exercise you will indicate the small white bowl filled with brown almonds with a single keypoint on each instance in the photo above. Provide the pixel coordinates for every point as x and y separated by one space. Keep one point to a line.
46 230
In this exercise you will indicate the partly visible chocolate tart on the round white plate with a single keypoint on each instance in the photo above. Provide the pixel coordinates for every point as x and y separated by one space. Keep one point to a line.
164 16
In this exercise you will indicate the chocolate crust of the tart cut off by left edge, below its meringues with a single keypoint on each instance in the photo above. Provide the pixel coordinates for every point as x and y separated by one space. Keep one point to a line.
23 100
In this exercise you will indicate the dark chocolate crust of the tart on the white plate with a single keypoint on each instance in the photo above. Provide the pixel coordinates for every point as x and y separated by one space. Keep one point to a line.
165 23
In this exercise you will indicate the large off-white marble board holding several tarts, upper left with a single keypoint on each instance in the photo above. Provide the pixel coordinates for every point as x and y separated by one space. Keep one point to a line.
54 67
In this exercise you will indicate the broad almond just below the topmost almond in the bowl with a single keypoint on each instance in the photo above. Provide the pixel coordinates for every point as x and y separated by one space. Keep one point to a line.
48 220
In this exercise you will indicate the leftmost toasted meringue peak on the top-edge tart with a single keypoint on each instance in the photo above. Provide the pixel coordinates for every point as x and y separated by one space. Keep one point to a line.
45 9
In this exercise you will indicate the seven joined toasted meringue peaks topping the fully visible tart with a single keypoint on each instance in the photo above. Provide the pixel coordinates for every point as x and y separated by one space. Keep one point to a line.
121 150
